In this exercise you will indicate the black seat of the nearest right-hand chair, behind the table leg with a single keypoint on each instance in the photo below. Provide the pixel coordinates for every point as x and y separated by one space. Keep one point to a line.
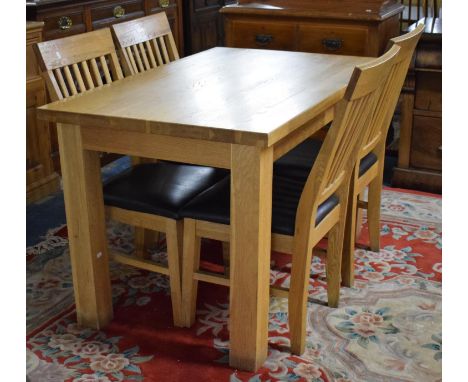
213 204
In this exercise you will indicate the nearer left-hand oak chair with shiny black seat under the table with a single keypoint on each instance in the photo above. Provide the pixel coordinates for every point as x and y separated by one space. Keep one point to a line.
147 196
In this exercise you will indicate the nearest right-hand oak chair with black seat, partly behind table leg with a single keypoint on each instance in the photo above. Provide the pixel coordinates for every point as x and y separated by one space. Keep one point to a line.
304 210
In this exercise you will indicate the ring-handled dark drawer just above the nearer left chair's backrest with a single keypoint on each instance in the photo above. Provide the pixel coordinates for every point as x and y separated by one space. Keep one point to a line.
64 23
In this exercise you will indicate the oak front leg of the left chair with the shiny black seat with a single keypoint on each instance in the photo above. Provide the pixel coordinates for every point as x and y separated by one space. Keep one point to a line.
174 237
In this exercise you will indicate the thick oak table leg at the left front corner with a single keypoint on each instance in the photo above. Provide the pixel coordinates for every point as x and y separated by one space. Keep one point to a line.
84 208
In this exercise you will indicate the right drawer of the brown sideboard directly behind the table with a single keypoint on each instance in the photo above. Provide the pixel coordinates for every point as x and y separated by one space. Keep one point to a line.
336 39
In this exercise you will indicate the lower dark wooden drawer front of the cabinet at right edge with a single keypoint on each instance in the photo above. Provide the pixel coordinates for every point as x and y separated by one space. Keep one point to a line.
427 143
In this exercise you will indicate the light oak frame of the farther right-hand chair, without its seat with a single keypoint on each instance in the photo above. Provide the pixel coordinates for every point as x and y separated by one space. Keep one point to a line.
374 141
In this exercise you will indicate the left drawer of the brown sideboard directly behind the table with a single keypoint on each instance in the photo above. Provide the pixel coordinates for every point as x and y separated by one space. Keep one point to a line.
263 35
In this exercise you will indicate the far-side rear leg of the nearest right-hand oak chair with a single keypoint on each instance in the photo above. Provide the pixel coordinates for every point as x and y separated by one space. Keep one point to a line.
334 255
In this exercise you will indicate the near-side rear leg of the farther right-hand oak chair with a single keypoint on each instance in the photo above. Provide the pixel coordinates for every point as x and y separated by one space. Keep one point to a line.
347 269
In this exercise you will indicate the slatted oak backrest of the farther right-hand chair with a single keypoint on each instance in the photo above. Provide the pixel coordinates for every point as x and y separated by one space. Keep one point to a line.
386 105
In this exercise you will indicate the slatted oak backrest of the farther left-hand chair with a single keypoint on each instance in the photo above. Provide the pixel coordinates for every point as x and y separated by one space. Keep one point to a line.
145 43
